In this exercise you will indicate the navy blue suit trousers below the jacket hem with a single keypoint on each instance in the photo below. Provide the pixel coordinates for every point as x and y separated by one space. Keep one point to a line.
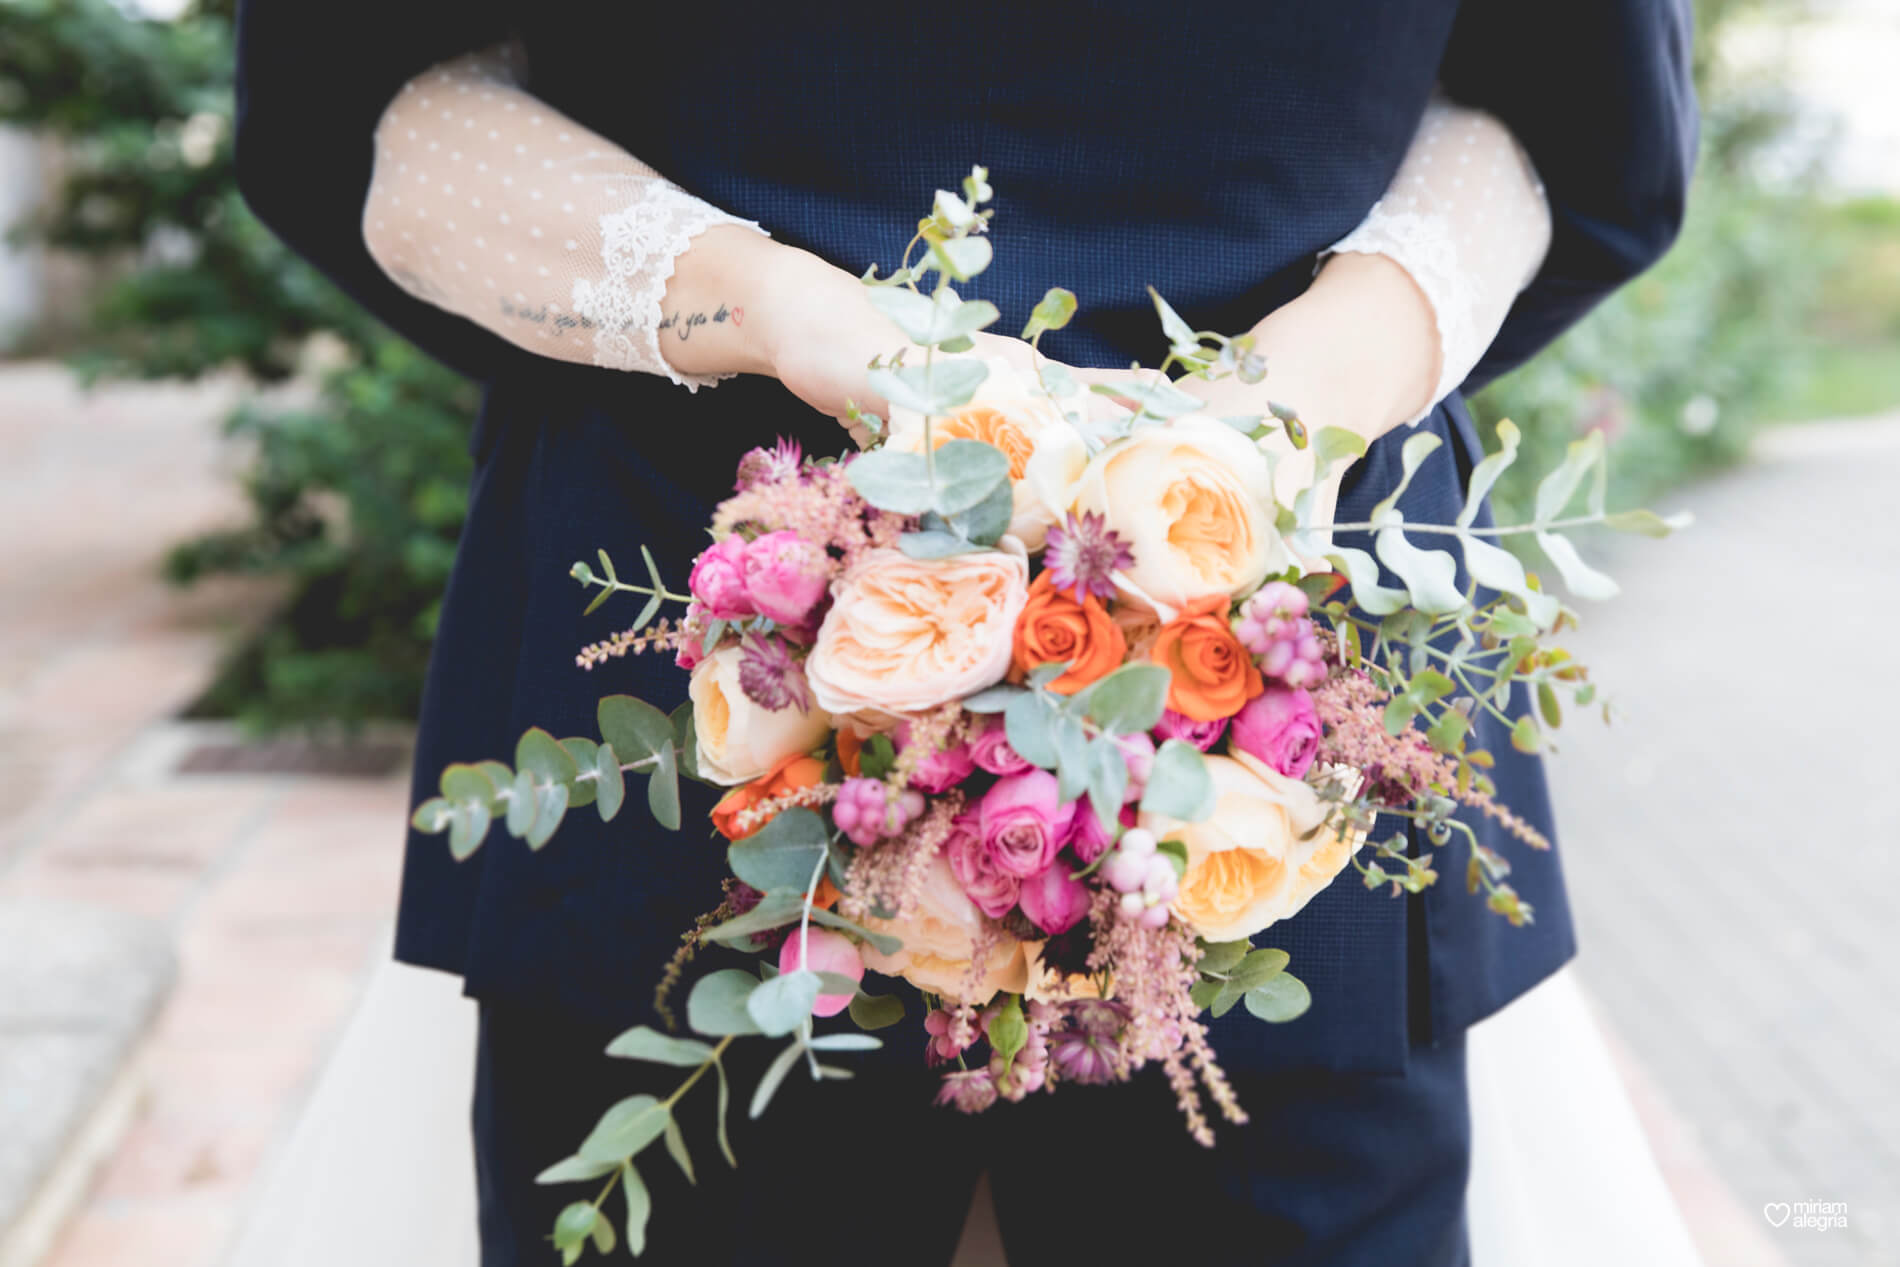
1331 1171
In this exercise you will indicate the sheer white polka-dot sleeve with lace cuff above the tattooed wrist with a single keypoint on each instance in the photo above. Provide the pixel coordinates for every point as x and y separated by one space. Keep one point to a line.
491 204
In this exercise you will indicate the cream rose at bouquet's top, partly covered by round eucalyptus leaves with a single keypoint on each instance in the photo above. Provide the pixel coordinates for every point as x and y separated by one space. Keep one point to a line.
1012 413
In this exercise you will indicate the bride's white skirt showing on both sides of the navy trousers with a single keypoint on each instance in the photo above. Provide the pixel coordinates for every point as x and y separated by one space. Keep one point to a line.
379 1173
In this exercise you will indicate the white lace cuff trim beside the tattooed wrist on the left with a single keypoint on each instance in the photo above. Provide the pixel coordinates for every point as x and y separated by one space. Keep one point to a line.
641 246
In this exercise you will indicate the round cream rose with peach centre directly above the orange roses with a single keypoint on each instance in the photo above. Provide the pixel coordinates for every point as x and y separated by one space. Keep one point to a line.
1194 499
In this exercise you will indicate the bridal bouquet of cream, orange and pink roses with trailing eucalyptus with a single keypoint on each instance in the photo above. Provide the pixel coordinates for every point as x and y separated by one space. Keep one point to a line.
1048 708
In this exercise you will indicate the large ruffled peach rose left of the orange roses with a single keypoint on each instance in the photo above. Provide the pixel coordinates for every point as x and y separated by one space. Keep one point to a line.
913 633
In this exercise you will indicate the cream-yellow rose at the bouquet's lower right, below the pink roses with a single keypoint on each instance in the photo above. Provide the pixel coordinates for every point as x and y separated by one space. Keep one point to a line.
1247 865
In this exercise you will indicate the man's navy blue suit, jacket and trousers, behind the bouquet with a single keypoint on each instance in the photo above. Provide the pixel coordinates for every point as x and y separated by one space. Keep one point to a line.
1128 149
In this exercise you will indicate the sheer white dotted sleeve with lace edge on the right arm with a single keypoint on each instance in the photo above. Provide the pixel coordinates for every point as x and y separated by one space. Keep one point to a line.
1468 219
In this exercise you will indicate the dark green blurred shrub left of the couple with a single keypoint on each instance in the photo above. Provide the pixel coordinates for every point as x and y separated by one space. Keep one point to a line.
356 493
